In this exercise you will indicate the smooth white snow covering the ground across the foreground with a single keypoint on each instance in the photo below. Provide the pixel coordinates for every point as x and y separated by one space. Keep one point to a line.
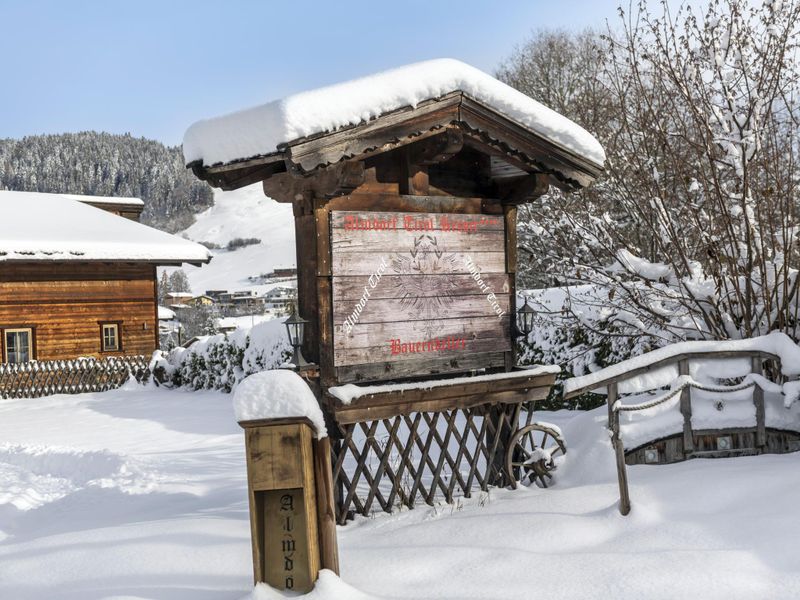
141 493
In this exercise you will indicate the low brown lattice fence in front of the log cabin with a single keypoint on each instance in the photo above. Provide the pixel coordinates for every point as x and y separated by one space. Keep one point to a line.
42 378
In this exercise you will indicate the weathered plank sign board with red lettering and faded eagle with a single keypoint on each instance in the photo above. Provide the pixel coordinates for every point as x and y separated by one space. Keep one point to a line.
427 289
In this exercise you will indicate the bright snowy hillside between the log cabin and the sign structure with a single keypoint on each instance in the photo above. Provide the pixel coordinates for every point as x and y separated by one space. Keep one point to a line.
243 213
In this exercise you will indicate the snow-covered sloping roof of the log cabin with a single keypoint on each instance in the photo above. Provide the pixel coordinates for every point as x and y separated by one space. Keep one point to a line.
36 226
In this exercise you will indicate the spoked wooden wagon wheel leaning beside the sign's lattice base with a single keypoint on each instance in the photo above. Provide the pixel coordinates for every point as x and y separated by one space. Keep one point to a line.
531 453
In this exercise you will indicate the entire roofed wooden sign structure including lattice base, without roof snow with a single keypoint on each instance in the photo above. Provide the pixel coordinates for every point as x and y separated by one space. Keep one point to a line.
405 230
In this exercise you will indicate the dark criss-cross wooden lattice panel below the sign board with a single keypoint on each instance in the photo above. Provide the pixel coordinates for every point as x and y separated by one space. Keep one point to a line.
422 457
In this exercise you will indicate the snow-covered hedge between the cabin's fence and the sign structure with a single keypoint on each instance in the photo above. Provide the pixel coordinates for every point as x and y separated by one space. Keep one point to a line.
223 360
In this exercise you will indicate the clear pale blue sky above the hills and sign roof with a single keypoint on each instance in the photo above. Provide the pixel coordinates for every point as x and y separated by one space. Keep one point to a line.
151 68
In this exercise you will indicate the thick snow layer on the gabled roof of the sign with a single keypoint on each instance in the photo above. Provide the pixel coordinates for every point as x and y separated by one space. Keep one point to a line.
260 130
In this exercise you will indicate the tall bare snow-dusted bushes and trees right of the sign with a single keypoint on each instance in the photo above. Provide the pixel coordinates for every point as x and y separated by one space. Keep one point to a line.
692 232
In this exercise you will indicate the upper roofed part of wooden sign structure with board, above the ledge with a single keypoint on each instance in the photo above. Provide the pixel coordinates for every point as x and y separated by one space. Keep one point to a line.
406 235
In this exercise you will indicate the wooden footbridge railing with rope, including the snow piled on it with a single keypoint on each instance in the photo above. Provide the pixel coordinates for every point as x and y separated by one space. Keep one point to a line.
646 373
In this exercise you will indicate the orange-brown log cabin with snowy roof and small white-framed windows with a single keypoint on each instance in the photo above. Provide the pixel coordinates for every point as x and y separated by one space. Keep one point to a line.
78 276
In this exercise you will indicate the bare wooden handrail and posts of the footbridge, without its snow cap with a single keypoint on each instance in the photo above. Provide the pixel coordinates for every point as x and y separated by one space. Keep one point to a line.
615 406
